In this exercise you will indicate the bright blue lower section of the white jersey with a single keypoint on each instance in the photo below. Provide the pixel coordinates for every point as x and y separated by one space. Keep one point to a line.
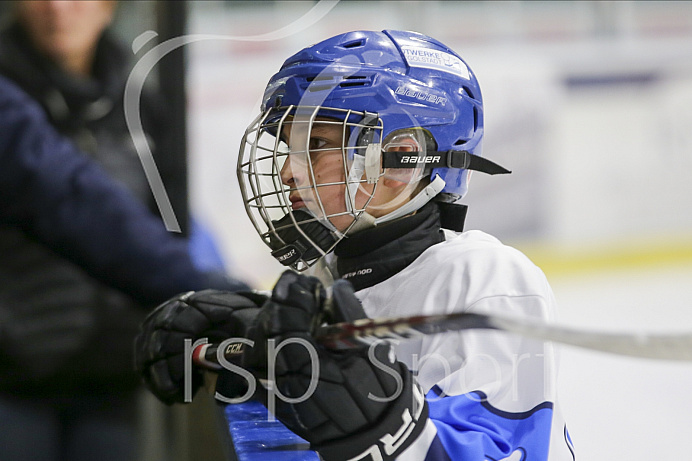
469 427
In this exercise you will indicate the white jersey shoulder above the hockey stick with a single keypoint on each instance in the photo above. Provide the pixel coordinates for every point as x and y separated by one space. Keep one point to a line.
468 271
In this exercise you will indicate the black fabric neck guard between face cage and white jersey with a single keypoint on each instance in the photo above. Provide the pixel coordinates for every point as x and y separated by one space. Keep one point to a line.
374 255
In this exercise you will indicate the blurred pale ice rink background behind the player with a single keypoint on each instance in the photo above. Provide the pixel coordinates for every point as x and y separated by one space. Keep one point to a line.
590 105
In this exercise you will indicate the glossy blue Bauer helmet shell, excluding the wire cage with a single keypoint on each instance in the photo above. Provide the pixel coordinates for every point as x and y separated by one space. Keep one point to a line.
408 79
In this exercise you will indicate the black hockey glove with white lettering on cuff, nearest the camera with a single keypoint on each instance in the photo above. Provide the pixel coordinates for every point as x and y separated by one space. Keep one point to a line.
359 401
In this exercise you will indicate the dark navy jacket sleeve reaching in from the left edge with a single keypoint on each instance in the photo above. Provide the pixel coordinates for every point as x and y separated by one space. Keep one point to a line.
62 198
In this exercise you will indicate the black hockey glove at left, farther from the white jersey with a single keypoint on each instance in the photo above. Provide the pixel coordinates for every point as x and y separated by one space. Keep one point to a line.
160 345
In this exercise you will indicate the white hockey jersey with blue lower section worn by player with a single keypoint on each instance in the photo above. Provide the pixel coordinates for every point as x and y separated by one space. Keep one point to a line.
491 394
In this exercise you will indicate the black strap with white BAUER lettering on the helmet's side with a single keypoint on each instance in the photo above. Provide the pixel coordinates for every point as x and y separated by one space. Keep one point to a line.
438 159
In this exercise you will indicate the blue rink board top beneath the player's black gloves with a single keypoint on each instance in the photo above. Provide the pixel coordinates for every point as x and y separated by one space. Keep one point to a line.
256 438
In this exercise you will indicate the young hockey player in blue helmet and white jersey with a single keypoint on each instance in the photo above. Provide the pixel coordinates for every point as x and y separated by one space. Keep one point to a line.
354 170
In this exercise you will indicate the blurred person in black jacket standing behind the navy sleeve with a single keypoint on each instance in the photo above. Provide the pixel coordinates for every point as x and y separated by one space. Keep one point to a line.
80 402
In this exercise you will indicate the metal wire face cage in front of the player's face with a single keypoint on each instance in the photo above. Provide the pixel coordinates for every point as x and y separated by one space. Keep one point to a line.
300 169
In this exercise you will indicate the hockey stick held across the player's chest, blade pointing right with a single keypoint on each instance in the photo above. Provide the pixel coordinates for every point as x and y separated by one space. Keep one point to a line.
366 331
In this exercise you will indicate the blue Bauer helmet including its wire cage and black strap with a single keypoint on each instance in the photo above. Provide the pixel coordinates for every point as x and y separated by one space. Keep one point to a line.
377 84
